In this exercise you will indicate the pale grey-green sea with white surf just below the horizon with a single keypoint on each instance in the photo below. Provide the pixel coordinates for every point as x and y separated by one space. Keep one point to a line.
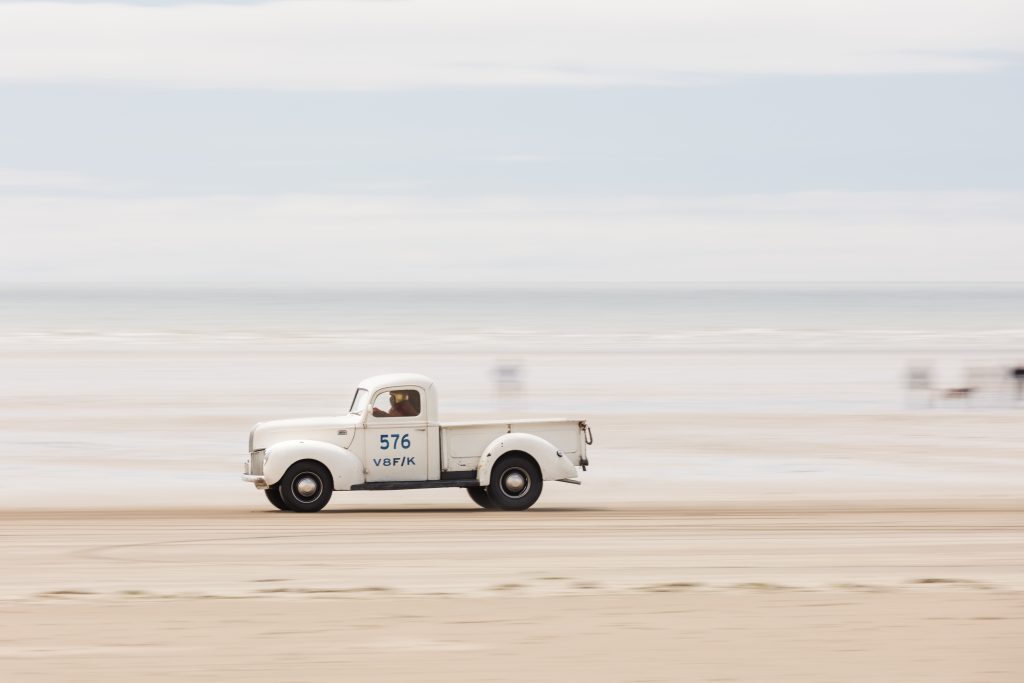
607 318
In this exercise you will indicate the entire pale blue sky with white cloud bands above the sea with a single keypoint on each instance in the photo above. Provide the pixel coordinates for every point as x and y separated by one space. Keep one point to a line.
332 143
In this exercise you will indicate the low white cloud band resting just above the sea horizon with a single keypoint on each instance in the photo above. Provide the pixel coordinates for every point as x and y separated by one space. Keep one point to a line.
336 240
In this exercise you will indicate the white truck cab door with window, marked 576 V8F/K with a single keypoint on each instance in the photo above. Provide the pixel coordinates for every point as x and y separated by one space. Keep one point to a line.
397 437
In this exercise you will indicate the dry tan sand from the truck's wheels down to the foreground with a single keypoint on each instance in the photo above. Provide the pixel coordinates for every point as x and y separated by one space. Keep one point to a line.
743 592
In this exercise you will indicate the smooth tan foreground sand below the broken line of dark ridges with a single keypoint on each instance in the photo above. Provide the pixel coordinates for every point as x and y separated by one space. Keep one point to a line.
951 635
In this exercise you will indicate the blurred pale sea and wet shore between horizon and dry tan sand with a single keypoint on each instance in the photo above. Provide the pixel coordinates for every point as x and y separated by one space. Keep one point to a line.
149 396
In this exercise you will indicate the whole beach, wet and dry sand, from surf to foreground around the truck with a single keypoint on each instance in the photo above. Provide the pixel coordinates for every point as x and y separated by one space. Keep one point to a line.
748 517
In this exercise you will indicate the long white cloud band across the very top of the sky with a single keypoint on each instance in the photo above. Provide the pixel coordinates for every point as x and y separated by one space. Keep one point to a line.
317 45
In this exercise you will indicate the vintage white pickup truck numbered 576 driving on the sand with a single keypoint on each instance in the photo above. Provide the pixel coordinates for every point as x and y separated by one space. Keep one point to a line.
392 440
